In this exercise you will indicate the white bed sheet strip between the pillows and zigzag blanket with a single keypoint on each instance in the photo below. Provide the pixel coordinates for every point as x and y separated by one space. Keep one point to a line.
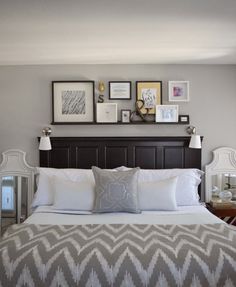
184 215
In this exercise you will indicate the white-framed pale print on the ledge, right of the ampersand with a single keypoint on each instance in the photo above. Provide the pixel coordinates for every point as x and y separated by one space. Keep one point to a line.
167 113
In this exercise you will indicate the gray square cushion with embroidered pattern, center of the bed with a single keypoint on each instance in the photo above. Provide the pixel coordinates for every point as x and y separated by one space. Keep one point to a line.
116 191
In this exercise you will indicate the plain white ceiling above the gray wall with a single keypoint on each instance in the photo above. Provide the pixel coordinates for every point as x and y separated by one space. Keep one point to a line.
117 31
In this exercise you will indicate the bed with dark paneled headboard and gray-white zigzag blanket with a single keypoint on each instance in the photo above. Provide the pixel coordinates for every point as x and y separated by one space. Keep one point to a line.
186 246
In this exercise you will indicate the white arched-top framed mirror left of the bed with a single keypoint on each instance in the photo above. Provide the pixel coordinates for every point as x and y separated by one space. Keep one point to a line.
16 188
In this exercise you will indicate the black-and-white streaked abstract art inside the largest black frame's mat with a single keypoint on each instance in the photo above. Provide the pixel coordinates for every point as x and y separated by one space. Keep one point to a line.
73 102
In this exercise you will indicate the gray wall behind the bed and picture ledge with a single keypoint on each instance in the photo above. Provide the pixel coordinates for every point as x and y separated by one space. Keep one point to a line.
25 103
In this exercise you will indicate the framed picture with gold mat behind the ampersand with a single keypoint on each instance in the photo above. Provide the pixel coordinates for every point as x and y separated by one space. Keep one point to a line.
150 92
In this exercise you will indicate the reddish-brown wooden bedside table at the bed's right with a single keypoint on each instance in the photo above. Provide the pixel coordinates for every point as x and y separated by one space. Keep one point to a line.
228 214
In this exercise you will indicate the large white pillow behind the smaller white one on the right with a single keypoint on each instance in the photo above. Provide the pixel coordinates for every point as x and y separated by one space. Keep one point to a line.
187 185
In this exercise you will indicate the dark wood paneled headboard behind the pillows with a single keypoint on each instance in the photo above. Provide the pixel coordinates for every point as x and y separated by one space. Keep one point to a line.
110 152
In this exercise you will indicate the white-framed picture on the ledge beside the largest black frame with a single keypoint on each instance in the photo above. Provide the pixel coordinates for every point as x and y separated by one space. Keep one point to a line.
106 113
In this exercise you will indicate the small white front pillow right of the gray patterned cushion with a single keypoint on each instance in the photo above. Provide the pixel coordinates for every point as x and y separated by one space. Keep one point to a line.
158 195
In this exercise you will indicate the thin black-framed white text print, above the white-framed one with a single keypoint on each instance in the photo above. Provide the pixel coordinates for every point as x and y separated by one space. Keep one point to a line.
120 90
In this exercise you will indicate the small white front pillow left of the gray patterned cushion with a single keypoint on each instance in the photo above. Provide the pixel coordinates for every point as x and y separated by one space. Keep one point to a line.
69 195
